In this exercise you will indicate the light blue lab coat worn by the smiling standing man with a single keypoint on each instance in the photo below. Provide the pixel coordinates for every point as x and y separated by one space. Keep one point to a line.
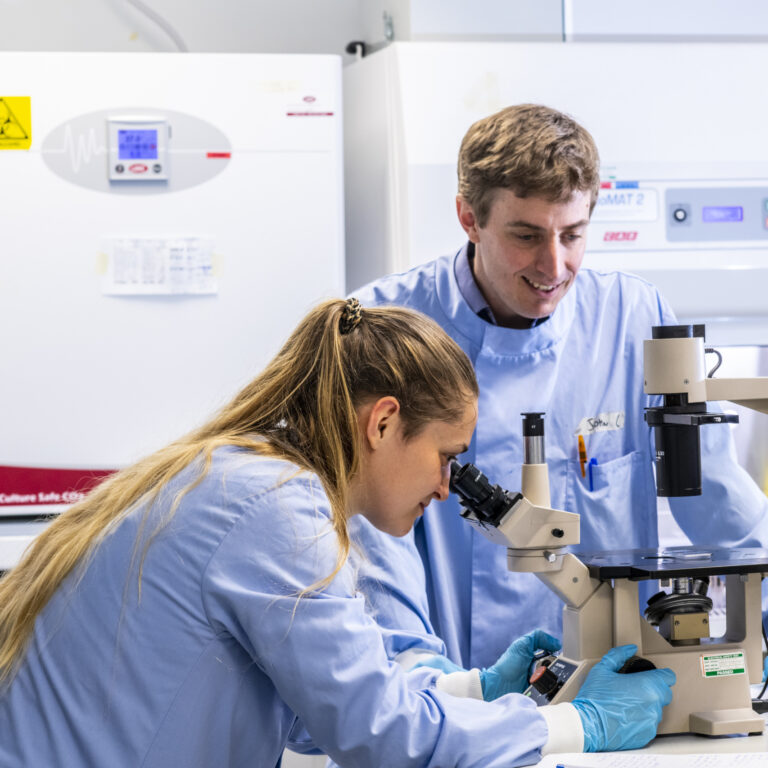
584 363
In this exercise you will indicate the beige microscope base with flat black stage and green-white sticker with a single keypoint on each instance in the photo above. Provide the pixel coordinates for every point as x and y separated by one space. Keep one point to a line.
712 694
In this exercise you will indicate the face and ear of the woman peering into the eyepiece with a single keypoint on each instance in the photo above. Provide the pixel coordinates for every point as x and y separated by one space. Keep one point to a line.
399 477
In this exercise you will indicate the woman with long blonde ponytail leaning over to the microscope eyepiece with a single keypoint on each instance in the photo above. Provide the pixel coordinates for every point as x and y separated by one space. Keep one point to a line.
197 608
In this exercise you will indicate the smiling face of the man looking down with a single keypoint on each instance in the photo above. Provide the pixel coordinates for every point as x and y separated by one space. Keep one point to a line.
528 253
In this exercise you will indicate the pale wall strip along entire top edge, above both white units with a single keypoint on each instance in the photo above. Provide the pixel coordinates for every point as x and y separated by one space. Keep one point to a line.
326 26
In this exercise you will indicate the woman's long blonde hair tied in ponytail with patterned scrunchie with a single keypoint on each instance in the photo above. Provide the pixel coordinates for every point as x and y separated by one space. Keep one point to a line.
301 408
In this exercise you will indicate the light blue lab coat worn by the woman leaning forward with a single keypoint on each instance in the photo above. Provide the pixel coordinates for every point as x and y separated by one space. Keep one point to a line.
214 663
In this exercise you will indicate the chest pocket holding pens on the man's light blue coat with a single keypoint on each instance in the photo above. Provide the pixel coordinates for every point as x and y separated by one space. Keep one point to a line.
619 510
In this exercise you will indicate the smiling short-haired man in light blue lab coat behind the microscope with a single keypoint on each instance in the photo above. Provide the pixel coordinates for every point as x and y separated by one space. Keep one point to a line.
543 335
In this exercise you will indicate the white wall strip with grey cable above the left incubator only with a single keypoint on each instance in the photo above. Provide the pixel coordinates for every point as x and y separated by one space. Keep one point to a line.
240 26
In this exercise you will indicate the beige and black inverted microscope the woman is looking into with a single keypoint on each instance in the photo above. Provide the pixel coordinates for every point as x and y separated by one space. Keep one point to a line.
600 590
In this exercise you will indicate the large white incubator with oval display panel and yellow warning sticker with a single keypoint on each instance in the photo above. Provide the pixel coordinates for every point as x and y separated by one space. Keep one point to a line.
252 211
